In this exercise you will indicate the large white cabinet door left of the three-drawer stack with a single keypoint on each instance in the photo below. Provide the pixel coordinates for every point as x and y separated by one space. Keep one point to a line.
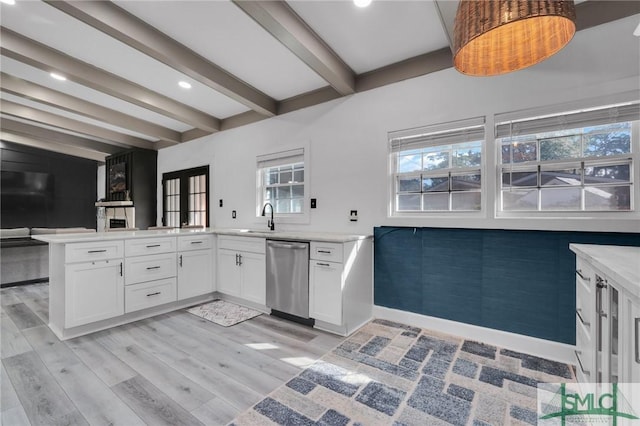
95 291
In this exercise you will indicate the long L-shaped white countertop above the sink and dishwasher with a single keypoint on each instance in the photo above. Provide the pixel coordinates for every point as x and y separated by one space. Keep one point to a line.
258 233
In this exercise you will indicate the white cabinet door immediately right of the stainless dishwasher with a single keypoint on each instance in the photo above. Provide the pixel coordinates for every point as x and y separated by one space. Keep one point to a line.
325 291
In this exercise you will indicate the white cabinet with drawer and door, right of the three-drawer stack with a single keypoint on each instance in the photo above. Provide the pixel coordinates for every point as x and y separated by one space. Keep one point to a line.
195 265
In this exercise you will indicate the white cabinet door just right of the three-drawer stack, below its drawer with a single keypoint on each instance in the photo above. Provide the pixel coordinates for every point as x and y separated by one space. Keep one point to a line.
195 276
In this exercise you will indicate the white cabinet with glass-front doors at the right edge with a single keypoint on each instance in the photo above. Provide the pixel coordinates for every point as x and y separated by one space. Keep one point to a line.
607 313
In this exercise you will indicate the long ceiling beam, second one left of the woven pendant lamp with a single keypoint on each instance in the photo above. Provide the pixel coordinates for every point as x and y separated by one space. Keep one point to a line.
129 29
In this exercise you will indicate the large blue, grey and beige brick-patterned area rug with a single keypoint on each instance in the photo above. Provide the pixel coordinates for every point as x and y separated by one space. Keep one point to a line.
393 374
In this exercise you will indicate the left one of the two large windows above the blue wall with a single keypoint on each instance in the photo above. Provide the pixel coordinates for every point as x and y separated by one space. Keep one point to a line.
438 168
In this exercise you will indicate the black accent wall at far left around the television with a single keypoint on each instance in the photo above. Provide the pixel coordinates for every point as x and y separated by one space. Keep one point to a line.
68 199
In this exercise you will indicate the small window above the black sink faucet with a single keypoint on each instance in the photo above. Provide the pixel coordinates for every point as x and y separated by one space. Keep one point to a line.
281 181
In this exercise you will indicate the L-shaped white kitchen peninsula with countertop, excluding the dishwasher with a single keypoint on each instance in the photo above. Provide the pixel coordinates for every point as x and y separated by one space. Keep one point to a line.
102 280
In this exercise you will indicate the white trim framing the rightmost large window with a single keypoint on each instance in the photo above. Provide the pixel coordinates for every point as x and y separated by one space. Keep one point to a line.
569 215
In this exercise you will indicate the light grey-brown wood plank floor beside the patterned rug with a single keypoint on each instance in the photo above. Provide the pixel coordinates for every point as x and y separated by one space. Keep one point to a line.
167 370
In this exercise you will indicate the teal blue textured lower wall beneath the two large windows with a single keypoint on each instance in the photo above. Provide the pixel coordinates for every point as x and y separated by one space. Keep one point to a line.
517 281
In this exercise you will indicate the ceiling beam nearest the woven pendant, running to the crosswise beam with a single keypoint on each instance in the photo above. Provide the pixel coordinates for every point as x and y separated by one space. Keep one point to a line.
278 19
